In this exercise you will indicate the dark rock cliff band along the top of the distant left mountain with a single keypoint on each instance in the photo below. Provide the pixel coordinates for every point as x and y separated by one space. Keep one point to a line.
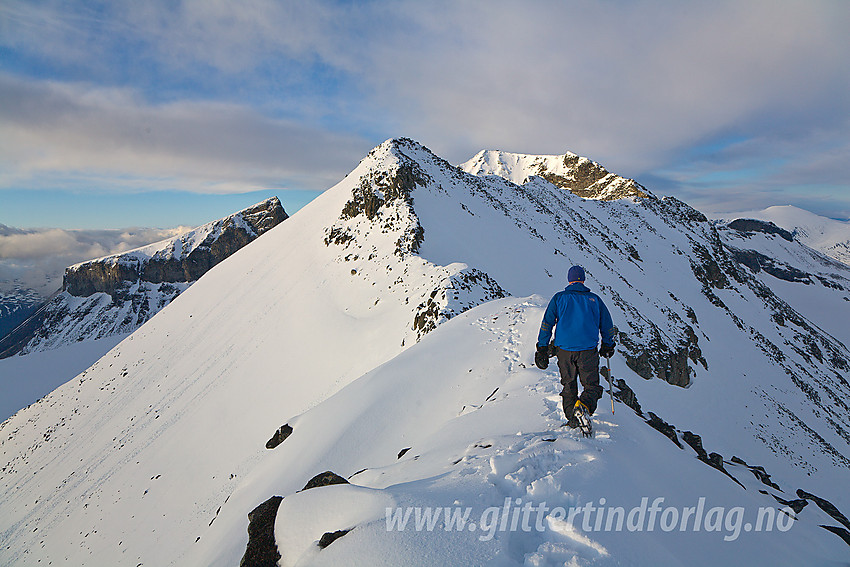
229 235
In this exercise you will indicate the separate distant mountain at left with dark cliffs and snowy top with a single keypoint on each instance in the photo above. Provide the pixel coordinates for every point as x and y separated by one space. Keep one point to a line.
117 294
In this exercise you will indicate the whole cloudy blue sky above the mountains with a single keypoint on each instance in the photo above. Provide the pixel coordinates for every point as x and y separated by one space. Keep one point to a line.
167 112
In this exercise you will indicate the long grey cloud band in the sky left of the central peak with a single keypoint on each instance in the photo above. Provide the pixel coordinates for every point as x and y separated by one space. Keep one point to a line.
213 147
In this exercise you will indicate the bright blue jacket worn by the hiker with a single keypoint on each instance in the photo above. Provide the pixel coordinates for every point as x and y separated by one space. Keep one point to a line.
580 317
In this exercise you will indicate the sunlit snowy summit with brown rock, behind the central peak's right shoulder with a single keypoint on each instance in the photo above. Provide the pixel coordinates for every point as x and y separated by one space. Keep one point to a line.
580 175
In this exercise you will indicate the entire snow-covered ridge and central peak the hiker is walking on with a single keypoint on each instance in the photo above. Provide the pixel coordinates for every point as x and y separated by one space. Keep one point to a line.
374 321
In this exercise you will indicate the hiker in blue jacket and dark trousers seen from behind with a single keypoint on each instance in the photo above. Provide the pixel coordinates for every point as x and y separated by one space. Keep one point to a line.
578 317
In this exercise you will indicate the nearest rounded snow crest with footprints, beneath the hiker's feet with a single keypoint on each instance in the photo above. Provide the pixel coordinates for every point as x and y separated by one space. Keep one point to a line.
462 427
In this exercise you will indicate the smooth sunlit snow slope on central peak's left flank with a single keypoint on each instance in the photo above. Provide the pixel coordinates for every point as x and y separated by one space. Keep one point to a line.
195 393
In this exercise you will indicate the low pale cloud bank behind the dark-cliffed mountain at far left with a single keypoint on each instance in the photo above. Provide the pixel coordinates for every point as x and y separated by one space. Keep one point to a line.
36 259
